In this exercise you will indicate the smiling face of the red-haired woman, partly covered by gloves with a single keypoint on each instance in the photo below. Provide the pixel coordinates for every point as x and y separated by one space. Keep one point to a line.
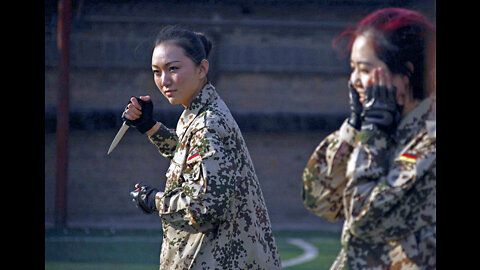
364 62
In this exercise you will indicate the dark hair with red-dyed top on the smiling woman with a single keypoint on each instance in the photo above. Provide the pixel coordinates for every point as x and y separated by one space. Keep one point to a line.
399 36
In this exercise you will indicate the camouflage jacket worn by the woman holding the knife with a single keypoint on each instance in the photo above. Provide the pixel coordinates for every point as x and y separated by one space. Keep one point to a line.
213 212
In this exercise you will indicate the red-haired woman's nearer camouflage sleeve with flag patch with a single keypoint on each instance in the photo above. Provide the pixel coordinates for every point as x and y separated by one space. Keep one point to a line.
390 197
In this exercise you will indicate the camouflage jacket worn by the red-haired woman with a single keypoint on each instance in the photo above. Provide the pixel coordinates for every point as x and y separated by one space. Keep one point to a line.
384 187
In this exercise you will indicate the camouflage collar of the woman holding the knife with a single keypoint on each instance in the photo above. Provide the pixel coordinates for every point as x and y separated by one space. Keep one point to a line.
190 113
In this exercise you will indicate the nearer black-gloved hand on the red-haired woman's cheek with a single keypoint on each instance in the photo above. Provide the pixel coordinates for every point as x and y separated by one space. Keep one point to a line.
381 109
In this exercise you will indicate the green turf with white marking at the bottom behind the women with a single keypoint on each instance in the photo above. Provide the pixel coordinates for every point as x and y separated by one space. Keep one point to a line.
139 249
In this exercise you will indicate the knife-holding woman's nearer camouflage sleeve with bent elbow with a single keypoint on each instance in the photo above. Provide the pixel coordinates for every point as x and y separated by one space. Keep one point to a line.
201 200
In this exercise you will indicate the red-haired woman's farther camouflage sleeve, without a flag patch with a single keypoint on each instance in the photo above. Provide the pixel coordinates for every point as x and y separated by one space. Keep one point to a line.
324 176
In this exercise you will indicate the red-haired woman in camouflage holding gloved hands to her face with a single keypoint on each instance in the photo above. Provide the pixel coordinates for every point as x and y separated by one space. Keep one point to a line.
378 171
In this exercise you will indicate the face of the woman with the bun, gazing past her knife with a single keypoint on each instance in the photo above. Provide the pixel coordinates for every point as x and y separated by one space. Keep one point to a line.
176 75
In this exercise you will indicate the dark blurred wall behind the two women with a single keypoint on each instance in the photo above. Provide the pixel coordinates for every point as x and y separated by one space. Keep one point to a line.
272 62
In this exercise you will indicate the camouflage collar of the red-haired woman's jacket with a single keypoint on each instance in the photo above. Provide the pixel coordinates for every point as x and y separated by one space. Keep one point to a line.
415 120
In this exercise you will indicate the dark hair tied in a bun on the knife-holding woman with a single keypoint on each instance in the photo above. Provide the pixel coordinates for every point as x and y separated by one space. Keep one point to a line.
195 44
